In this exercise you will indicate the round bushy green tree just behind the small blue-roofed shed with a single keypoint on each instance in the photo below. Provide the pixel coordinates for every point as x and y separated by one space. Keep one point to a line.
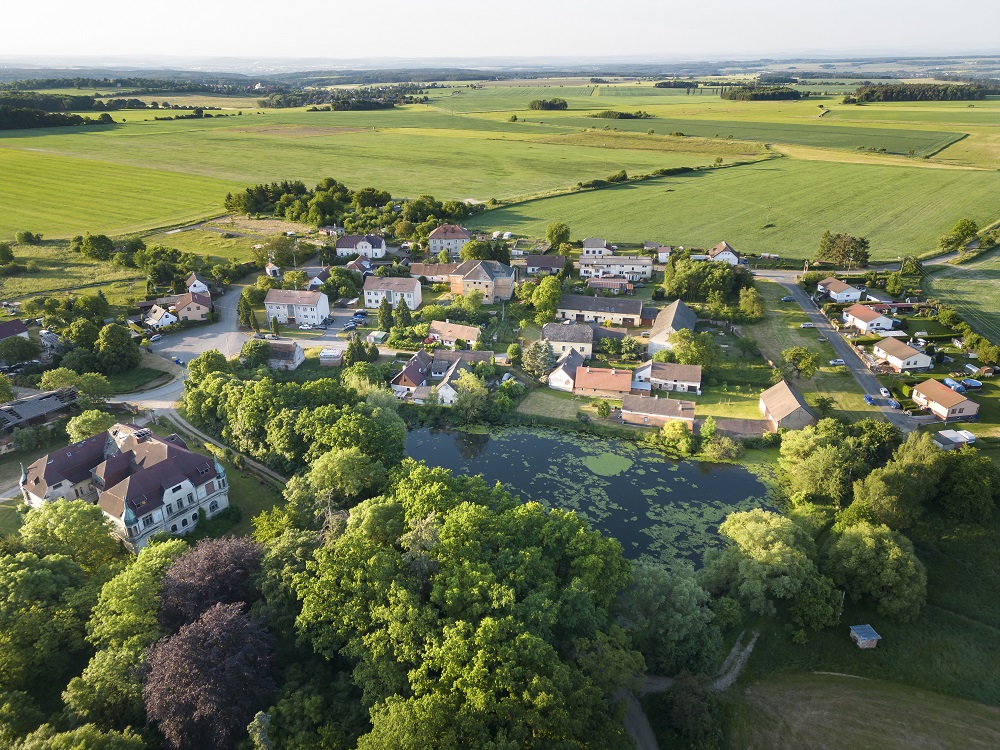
876 562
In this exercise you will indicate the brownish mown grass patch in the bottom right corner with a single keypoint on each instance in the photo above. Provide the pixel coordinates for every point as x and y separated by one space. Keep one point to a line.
844 713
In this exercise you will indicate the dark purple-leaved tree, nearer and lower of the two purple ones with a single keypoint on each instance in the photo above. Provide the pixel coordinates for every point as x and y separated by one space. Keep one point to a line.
206 682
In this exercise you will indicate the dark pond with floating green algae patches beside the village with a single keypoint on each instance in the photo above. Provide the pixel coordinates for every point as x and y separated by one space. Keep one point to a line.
657 508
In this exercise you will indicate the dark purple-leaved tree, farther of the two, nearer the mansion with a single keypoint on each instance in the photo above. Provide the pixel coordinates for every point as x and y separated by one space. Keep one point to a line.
216 570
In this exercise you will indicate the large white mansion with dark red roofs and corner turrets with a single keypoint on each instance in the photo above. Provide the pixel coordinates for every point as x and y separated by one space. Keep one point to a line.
146 485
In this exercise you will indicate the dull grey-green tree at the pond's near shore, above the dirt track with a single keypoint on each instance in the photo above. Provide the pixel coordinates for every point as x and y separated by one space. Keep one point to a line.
668 615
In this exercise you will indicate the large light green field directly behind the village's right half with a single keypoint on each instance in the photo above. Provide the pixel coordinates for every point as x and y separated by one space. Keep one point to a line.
901 210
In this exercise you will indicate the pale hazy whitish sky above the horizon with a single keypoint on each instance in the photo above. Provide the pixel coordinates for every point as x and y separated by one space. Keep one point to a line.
578 29
